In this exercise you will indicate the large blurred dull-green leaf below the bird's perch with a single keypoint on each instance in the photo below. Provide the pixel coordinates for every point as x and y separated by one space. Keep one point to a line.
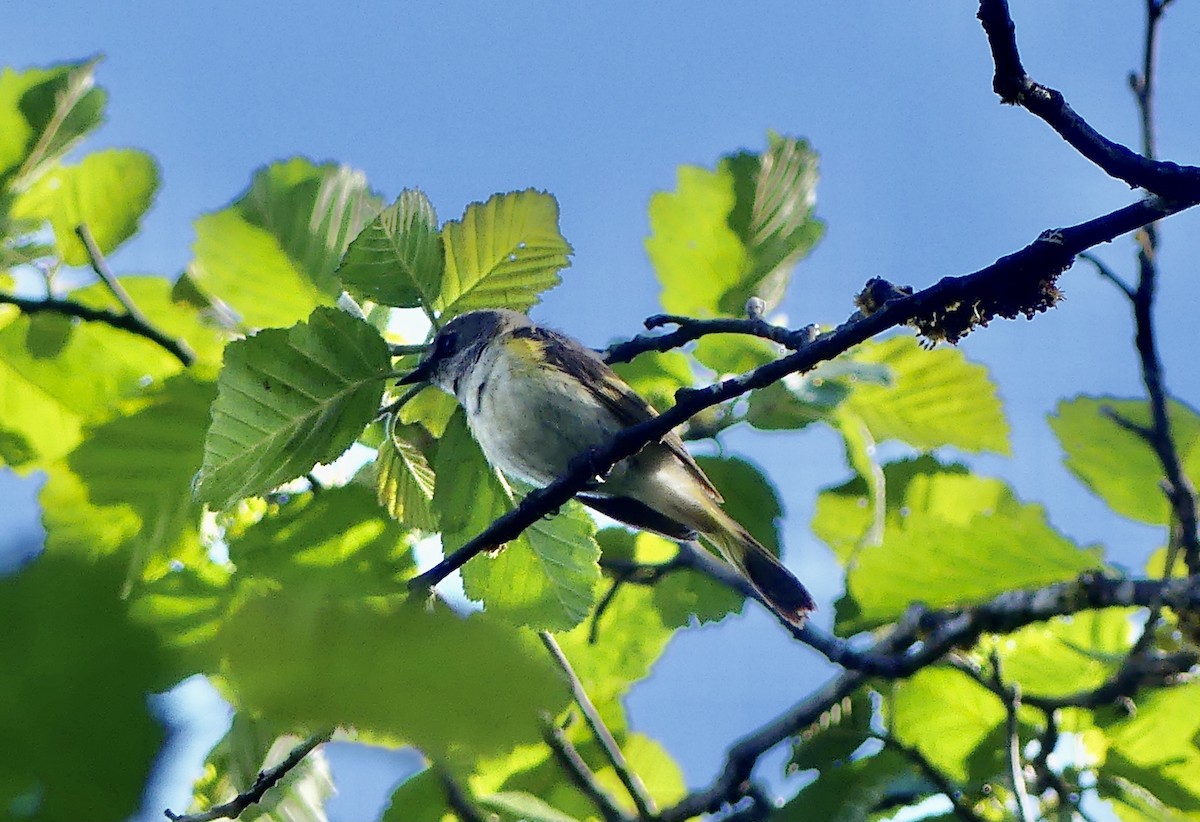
423 676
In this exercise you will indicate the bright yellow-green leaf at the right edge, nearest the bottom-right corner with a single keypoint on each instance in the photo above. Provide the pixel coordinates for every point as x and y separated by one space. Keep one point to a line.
1156 748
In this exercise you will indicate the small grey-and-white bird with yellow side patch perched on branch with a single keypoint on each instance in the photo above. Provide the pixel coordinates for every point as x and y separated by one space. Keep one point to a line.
537 399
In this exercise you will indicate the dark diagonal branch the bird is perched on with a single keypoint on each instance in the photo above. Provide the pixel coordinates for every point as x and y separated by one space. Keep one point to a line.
1046 257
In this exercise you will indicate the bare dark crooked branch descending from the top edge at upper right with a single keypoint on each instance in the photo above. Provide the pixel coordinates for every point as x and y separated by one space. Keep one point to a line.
1016 87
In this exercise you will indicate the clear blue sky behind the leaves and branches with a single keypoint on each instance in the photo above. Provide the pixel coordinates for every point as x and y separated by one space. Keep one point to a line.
925 175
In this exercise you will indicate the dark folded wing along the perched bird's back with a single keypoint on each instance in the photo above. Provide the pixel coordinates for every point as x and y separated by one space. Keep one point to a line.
586 368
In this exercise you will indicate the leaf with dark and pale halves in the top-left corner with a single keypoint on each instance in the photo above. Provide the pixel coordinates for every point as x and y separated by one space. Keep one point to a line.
44 112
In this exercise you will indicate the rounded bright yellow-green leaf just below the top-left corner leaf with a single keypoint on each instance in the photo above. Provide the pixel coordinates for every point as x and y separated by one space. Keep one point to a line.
109 191
